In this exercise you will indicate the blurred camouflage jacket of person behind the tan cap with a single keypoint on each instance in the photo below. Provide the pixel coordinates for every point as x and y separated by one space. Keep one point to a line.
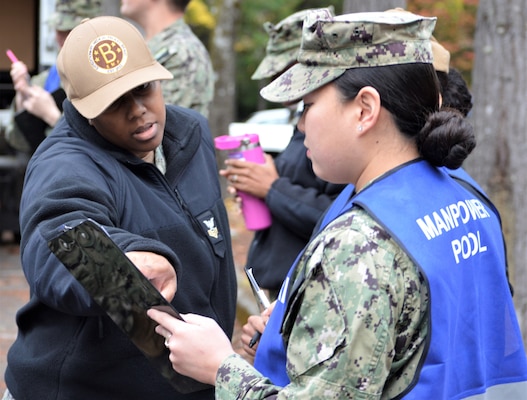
180 51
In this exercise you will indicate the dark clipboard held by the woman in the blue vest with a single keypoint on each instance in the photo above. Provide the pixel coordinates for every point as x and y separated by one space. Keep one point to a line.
122 291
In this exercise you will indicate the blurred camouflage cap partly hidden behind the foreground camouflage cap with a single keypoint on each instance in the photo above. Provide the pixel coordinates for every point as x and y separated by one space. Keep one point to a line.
283 44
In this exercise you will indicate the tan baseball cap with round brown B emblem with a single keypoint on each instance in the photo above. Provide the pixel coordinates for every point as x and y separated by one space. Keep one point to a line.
102 59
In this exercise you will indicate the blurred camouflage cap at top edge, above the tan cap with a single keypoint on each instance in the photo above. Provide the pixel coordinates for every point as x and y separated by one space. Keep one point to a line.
69 13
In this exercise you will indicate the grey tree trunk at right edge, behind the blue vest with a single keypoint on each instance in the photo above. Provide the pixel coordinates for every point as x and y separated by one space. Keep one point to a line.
500 122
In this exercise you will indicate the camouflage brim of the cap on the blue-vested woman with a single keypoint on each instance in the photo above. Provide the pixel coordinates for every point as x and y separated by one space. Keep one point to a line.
298 81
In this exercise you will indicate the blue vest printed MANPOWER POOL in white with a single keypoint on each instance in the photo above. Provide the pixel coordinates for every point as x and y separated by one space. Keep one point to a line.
475 342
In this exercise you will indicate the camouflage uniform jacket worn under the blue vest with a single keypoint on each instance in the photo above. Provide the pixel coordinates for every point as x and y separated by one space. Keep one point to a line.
355 328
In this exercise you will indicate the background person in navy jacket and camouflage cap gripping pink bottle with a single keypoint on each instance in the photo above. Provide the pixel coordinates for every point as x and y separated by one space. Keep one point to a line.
293 193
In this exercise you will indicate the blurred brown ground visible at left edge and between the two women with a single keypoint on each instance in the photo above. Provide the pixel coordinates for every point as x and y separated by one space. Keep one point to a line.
14 289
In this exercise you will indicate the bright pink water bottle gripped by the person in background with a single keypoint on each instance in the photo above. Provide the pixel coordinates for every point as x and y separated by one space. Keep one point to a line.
247 147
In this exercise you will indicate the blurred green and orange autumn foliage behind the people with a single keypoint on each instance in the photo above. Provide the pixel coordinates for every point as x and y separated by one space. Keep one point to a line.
454 30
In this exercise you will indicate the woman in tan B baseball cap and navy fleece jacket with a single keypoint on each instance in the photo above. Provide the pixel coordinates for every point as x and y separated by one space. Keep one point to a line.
147 173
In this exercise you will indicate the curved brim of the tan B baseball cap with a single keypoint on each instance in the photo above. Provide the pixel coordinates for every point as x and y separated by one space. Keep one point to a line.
94 104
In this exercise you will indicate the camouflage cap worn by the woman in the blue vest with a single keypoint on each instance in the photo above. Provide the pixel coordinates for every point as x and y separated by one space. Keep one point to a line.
331 45
